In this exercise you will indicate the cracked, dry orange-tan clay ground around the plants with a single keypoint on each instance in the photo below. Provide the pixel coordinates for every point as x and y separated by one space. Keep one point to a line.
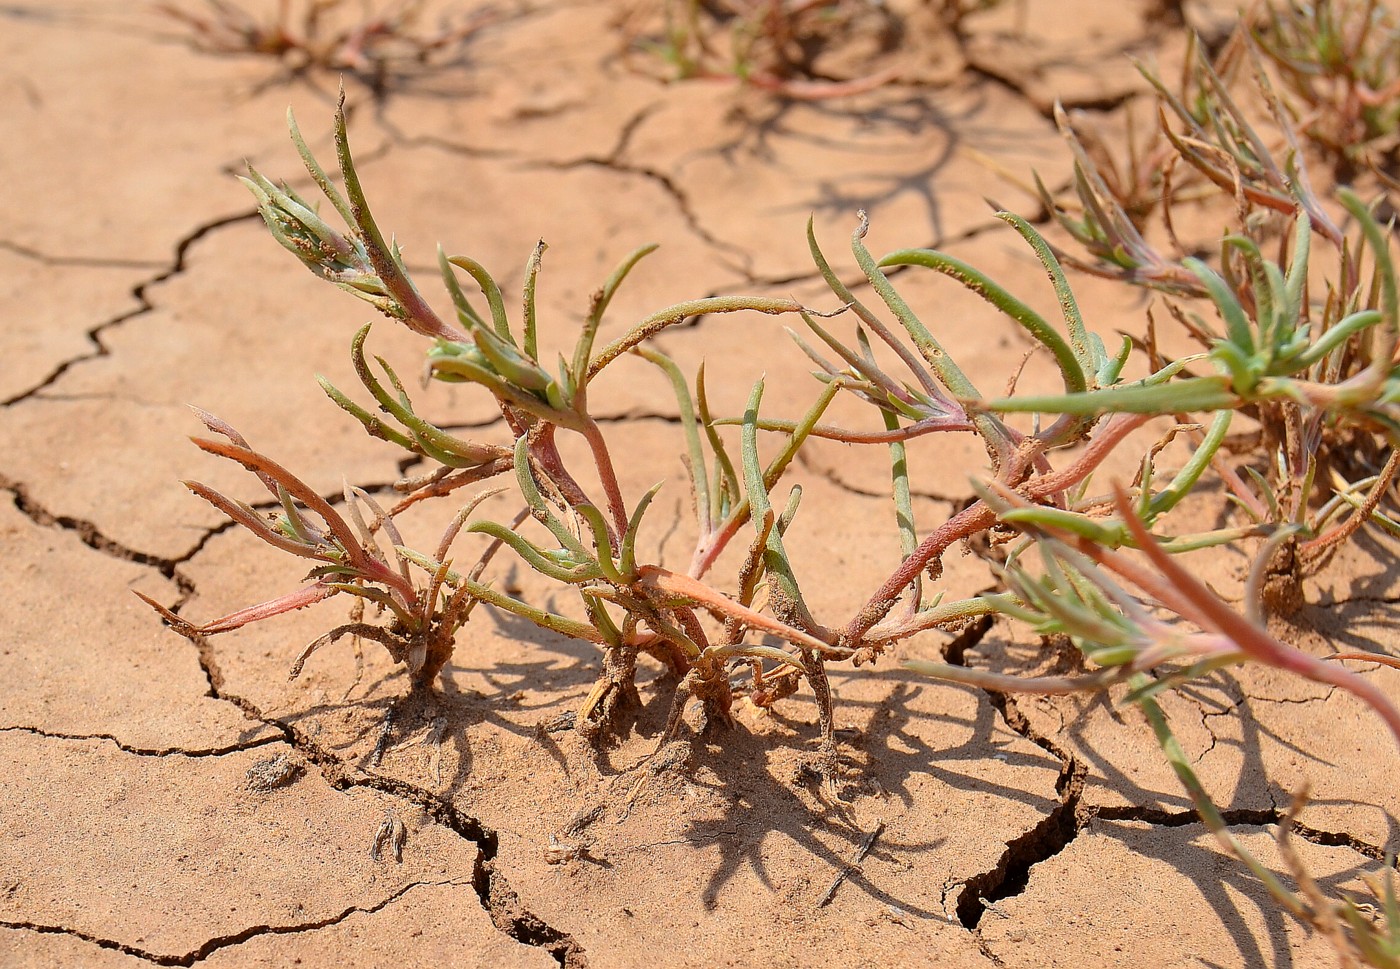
174 804
